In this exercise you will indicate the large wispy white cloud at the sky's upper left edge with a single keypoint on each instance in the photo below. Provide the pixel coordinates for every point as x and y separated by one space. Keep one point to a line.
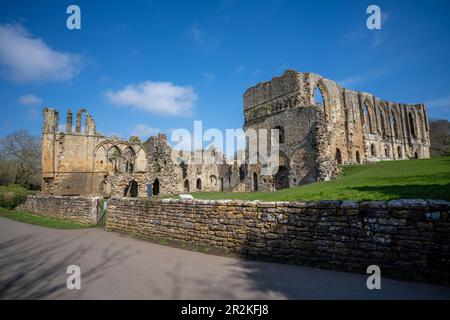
28 59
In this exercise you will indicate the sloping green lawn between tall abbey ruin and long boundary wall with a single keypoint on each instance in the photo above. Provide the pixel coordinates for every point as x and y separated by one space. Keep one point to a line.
408 179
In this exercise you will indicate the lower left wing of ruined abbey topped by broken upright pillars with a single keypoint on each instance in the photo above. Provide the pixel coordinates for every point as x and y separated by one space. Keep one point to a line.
84 162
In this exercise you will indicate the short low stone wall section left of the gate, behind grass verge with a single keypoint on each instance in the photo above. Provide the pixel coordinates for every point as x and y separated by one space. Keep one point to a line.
76 209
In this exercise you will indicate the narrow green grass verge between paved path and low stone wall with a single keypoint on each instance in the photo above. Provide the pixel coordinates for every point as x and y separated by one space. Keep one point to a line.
40 220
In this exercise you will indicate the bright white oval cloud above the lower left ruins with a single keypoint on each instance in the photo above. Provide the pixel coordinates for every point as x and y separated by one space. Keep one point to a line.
162 98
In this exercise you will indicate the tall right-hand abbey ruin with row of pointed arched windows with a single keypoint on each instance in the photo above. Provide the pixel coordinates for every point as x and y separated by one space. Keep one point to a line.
349 127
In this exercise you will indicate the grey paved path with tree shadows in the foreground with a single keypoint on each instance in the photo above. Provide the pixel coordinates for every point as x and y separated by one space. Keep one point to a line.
33 261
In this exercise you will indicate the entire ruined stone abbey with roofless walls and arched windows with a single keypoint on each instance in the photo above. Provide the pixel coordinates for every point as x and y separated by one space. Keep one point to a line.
320 125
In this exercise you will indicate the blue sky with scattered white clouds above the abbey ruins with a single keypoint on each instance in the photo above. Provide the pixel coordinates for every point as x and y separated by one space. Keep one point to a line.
144 66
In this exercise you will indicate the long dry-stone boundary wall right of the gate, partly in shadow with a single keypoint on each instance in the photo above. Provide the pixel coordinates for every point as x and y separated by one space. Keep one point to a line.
408 239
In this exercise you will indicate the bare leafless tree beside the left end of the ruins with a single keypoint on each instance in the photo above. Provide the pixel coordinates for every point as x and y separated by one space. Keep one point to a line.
21 154
